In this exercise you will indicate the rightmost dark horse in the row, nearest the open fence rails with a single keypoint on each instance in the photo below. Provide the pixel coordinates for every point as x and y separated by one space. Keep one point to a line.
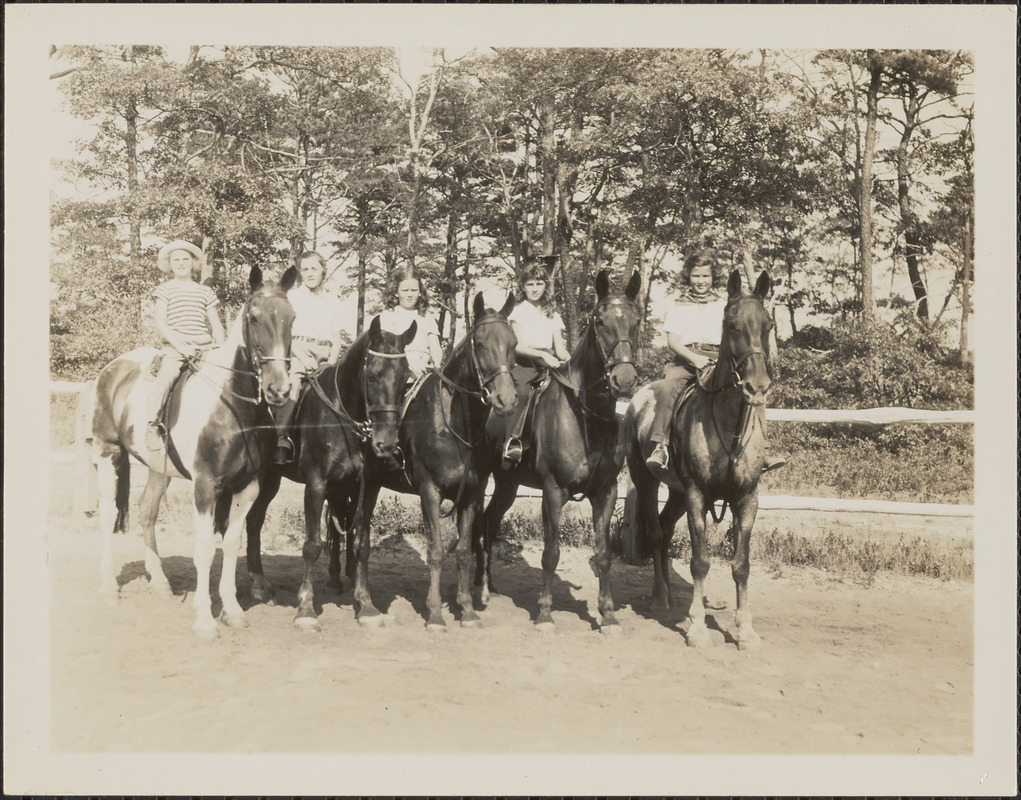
717 446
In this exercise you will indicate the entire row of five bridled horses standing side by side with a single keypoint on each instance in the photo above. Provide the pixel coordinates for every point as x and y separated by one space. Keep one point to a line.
356 436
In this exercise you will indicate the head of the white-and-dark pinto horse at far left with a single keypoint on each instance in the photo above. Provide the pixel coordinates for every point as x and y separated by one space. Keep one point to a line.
267 320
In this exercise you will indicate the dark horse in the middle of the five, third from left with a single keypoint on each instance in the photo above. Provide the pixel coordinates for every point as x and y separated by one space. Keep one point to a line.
444 437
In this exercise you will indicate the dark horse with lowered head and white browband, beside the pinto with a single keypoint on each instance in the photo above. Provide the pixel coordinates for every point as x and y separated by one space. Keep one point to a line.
352 412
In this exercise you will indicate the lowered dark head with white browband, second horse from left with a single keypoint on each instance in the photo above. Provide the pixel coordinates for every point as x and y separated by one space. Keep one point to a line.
384 375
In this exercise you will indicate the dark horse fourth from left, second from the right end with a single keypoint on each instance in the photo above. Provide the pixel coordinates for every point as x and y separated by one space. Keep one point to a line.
574 446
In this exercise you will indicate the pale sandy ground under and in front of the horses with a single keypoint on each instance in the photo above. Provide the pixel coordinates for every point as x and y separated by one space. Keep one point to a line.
844 669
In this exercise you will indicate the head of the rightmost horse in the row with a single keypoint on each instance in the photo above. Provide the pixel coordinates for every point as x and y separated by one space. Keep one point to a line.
747 327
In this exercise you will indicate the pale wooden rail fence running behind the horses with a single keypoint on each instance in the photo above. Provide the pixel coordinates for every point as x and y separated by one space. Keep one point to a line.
85 495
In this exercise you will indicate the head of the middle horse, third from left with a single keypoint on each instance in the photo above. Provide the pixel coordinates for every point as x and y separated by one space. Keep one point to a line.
492 347
